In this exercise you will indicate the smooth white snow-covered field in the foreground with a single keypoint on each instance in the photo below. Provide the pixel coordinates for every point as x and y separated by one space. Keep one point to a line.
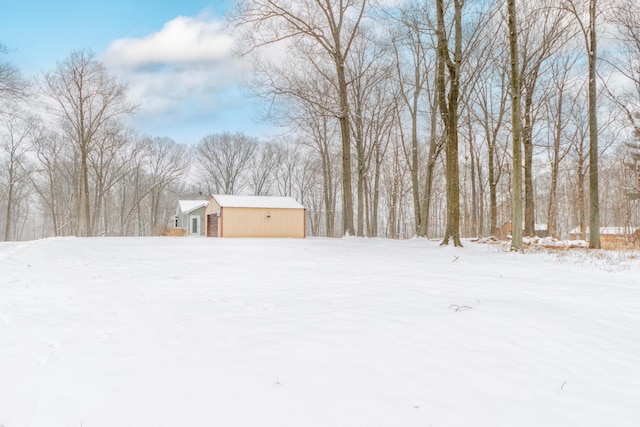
176 332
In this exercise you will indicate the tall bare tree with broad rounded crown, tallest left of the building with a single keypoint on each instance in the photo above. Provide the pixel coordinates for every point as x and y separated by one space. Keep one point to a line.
85 98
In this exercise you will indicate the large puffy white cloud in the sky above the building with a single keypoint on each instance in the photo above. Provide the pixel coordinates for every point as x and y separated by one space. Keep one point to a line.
184 73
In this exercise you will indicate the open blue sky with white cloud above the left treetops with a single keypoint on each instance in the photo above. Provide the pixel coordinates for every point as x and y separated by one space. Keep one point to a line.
175 56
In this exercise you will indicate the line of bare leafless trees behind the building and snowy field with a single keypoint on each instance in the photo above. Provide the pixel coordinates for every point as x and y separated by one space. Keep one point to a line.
396 122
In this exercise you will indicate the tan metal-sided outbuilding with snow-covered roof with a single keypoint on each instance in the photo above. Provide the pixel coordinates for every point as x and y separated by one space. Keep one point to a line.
255 216
